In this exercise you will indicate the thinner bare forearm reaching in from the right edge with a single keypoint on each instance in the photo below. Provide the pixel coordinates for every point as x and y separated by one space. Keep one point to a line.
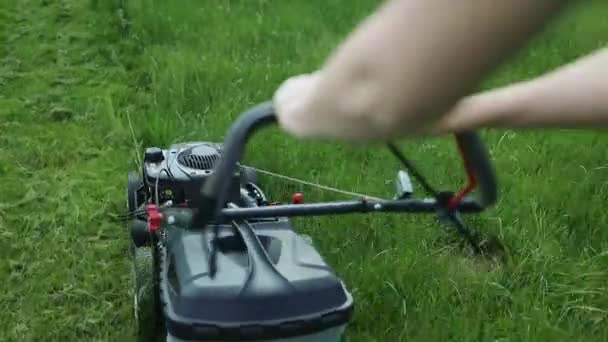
572 96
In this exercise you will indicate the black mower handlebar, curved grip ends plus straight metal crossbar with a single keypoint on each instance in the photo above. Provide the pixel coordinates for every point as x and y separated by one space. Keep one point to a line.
215 189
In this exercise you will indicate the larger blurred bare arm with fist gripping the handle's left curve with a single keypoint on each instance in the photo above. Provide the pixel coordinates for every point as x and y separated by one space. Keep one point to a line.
407 64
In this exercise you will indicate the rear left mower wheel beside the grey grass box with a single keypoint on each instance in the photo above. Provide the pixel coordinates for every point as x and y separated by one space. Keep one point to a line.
147 320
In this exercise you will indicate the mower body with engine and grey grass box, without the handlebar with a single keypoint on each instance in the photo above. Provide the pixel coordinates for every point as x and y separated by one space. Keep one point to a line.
290 295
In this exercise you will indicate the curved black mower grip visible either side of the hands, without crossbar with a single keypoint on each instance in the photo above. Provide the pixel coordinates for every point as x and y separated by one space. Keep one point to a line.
215 189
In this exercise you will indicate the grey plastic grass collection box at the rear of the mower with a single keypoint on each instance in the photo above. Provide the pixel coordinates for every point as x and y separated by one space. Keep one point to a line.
294 293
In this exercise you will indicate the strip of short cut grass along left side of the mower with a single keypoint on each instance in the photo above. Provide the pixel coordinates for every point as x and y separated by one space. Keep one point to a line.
63 265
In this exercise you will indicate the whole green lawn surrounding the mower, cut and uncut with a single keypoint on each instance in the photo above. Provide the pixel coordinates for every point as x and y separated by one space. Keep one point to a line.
81 95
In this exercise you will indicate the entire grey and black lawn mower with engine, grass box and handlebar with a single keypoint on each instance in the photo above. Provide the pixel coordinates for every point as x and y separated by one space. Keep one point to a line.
214 259
